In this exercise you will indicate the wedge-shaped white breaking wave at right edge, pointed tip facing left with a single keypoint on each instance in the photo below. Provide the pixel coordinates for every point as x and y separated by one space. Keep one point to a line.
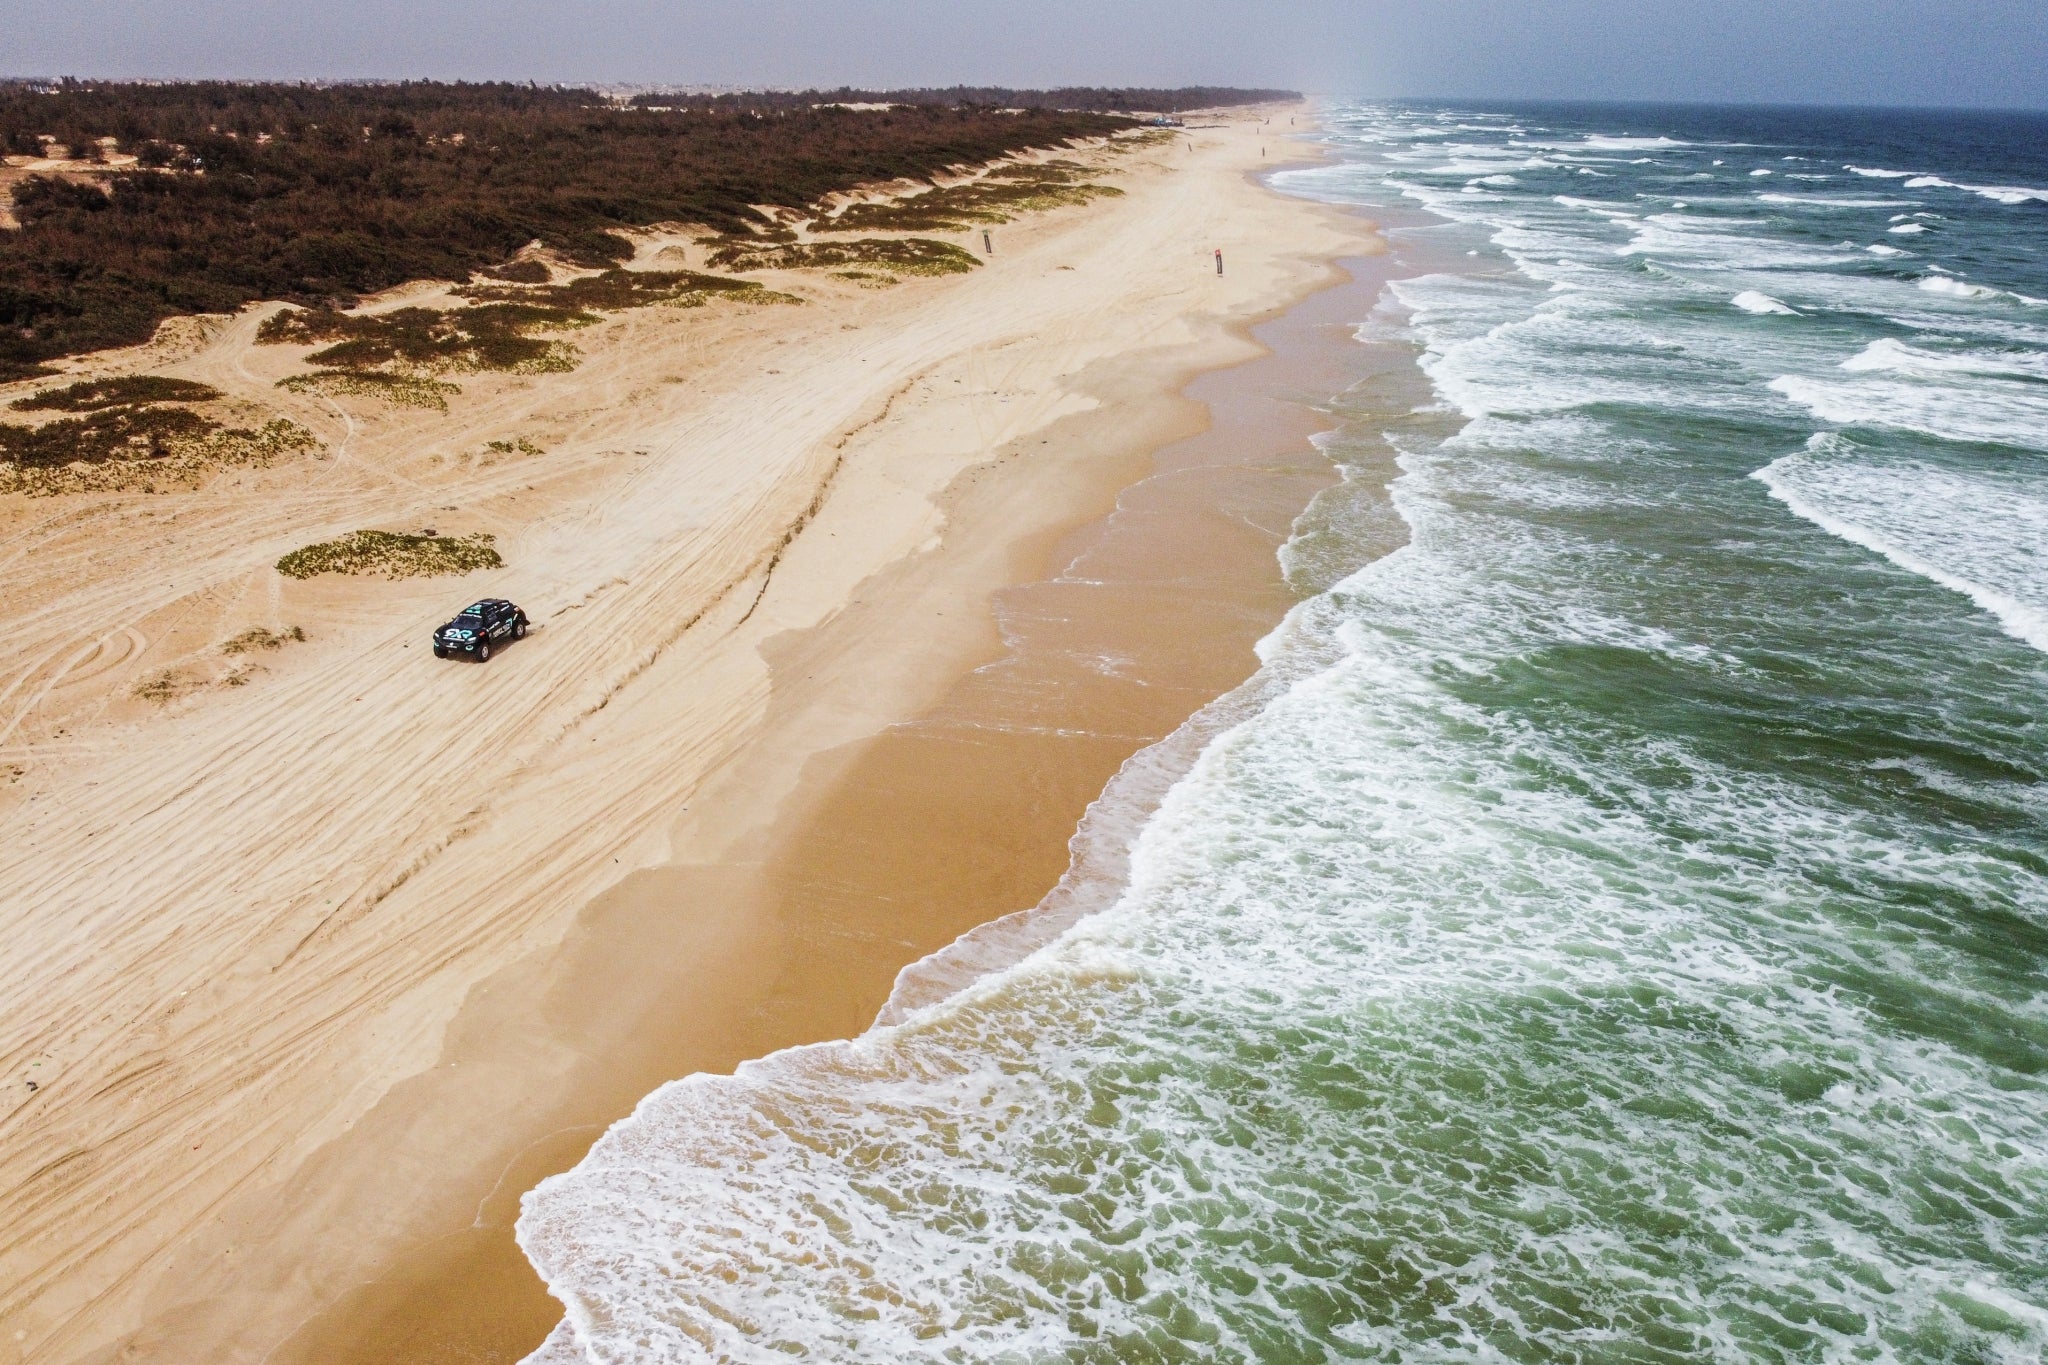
1981 537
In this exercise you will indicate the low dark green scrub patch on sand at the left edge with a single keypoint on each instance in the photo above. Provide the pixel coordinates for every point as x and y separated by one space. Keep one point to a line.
132 433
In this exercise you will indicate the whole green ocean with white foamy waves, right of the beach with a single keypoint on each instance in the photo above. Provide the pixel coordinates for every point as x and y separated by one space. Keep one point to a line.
1611 928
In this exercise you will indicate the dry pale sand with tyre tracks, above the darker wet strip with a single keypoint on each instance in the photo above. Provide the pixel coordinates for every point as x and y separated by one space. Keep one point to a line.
243 920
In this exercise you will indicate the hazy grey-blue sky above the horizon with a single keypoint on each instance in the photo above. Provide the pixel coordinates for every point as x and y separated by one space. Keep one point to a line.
1877 52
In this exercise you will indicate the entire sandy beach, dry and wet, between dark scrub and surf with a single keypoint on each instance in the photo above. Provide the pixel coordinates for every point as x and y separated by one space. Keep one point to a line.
843 617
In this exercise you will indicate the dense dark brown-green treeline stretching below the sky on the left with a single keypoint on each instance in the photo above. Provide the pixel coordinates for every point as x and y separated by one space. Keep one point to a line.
323 193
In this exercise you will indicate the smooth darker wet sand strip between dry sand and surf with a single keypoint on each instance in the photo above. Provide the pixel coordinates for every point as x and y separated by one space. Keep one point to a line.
1134 603
